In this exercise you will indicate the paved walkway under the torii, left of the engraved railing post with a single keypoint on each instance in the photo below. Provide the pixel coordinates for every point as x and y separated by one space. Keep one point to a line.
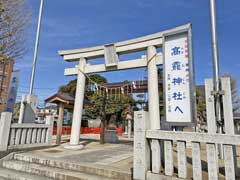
118 155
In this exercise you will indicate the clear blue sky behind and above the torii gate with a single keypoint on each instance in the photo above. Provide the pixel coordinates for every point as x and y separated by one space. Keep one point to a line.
75 24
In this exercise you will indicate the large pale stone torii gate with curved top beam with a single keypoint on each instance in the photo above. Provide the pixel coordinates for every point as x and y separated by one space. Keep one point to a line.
111 53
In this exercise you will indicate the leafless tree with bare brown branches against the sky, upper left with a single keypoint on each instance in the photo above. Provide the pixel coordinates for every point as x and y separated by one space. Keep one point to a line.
14 15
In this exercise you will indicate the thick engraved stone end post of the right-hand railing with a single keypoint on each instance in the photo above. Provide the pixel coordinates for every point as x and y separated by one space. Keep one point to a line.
141 159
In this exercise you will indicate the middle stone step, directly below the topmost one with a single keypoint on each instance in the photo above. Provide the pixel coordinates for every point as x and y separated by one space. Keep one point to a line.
51 172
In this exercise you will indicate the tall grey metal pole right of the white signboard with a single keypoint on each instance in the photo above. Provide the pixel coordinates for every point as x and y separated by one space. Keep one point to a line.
217 87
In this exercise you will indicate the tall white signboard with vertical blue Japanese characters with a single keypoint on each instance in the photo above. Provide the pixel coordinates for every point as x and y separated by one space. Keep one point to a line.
178 78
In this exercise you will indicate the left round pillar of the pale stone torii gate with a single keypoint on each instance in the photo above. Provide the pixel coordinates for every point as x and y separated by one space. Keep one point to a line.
78 106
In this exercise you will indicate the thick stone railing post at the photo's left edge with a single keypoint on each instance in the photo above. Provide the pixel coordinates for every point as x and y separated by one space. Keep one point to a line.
5 125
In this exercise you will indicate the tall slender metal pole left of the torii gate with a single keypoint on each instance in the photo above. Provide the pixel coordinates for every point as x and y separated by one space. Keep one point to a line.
36 48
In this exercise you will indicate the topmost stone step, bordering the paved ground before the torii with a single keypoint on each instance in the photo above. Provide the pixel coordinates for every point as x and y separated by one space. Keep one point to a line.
102 170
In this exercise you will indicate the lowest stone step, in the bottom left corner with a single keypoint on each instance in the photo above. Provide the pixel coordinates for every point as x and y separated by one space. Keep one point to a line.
16 175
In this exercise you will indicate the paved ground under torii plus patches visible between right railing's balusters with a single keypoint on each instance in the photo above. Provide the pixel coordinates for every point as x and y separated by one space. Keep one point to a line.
118 156
